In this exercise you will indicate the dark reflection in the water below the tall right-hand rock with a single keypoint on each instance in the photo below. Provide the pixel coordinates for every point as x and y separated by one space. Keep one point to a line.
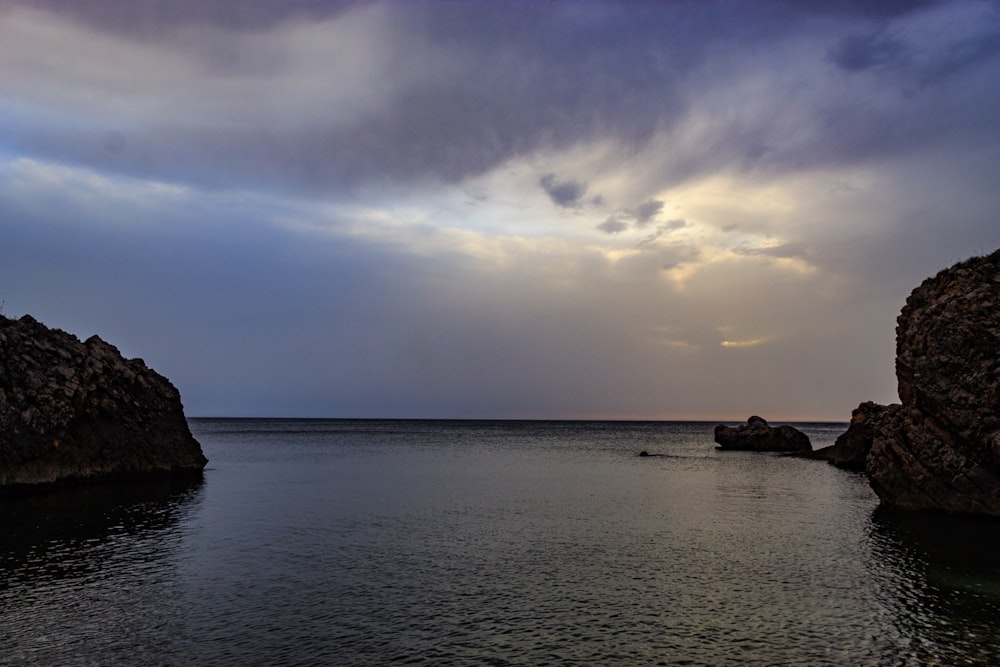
942 577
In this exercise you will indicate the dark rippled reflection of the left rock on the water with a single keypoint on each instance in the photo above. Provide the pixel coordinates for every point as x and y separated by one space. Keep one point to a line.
94 566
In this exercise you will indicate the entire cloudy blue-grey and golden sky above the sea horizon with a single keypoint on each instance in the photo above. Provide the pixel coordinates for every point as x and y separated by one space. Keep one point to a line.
536 210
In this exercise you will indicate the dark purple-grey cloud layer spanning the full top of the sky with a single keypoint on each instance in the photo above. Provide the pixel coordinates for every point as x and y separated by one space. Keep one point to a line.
451 90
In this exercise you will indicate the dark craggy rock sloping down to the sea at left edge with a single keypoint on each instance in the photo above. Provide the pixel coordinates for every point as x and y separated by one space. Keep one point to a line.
72 411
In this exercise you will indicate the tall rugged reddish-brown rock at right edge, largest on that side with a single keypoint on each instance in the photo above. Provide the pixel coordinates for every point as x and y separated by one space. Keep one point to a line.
941 449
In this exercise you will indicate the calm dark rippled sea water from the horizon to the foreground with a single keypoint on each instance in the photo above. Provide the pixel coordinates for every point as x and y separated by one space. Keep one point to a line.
330 542
